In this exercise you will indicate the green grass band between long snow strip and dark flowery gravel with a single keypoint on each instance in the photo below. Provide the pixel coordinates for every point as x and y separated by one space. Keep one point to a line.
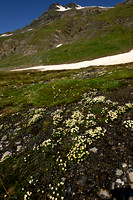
36 88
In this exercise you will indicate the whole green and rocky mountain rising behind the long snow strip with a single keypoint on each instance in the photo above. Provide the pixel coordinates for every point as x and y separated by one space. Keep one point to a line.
80 32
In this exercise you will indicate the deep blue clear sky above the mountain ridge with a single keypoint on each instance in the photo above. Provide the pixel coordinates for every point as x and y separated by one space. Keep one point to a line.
16 14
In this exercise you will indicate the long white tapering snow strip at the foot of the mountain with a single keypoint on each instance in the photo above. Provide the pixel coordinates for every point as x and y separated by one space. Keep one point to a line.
108 60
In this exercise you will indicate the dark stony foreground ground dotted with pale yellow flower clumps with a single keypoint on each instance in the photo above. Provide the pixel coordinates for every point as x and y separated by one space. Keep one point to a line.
81 151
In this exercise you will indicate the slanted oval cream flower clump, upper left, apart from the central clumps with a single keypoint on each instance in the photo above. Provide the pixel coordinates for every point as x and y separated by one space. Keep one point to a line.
38 115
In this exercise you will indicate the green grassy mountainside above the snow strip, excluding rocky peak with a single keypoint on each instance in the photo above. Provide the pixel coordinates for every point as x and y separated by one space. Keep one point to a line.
88 37
